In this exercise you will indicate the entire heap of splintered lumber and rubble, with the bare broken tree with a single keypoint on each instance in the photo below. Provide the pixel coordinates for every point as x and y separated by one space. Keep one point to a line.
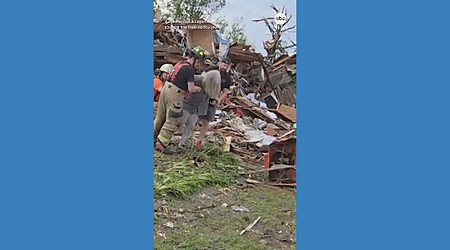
261 114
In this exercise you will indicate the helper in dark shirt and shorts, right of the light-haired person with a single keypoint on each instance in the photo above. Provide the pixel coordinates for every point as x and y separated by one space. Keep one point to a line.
223 67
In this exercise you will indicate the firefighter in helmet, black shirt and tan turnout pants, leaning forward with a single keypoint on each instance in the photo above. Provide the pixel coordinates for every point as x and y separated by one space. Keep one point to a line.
169 111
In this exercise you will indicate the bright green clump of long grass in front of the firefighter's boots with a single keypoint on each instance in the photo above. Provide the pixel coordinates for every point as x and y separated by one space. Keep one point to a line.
182 175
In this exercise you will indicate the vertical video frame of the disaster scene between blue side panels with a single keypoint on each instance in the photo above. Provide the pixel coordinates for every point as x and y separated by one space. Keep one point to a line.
225 124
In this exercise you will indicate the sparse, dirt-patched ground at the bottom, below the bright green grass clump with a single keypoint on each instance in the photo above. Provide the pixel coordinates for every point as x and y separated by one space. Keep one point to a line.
210 220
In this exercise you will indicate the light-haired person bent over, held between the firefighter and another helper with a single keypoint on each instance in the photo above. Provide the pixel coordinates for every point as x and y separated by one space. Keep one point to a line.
197 103
